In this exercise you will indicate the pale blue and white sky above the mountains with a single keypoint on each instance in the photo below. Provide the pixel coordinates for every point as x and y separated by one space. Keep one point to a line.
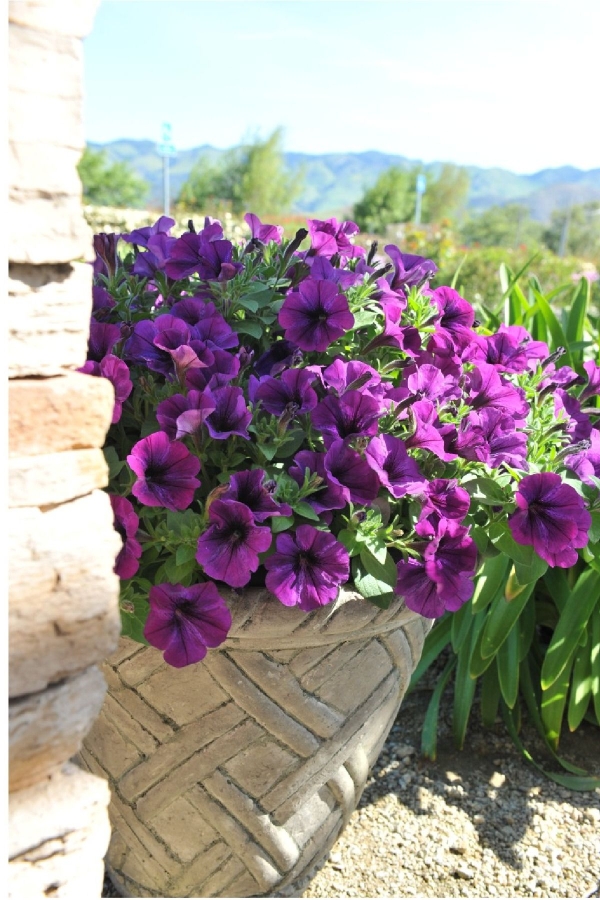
511 84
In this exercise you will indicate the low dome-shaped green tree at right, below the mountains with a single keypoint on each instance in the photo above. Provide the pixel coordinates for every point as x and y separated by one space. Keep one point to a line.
501 226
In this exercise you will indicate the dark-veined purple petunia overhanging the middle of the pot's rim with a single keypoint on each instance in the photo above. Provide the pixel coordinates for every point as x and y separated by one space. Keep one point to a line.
307 568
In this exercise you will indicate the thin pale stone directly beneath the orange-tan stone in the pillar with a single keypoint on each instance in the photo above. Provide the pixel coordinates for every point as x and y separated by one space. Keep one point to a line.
54 478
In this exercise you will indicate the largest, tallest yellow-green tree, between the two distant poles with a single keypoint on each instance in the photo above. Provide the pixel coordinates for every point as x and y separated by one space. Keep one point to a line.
250 177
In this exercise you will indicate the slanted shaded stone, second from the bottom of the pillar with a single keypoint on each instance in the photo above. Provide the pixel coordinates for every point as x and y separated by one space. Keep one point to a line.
47 728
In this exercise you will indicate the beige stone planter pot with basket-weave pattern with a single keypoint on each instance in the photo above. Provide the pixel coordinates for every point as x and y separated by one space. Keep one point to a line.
233 777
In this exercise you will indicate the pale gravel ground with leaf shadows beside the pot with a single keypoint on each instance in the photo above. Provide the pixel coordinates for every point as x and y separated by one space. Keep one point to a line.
476 823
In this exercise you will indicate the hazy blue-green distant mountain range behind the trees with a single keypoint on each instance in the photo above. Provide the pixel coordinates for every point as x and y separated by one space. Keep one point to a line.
333 182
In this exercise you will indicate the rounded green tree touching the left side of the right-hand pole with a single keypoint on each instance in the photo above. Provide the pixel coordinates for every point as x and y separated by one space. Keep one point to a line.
391 199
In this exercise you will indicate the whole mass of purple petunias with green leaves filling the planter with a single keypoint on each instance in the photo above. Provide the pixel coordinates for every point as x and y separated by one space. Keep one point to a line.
301 414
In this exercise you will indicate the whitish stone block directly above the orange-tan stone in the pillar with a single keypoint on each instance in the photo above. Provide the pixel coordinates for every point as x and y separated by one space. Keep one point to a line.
48 312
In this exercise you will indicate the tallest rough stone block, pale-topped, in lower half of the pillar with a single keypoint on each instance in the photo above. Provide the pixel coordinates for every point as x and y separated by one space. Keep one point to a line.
63 614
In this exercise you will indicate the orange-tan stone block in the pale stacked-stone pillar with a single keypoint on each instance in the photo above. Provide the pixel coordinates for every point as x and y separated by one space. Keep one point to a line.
50 415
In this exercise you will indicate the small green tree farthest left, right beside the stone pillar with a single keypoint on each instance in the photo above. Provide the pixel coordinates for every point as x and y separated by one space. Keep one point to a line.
106 184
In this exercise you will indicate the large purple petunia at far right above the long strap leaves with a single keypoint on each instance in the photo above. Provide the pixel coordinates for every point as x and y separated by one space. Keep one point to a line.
551 517
